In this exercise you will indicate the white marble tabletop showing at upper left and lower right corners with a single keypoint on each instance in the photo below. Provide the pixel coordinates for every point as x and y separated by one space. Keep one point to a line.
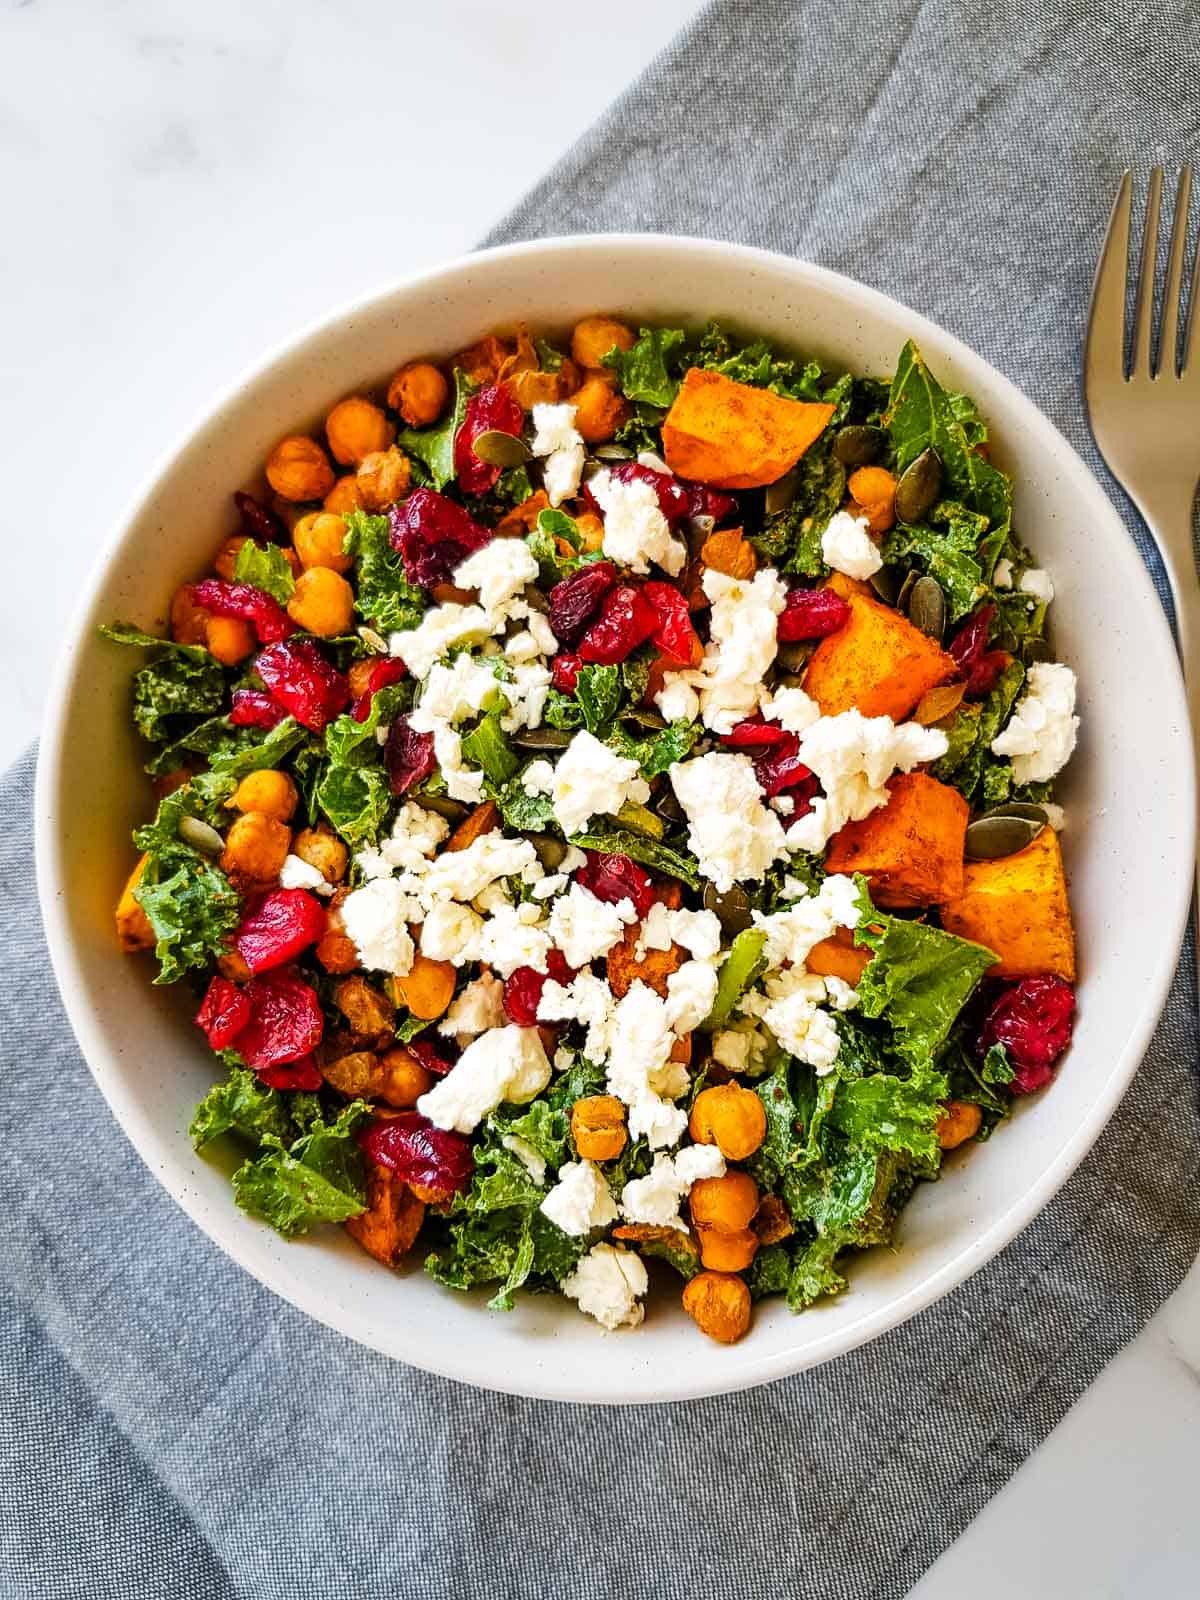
185 186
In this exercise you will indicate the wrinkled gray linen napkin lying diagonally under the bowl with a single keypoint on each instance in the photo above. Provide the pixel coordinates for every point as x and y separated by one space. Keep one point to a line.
167 1428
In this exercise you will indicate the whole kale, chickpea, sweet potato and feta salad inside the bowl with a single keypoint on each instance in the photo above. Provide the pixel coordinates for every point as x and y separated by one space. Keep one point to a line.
606 814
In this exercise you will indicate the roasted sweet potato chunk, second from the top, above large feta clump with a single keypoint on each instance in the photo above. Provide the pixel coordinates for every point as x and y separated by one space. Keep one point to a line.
878 663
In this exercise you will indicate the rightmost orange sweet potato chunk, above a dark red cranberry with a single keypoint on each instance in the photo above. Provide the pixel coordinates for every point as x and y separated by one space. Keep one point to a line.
1018 908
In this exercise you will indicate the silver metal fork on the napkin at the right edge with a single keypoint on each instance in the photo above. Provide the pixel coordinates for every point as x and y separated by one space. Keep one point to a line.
1145 412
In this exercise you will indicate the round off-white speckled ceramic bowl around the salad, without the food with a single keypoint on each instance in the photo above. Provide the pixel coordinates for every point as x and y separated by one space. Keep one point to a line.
1129 796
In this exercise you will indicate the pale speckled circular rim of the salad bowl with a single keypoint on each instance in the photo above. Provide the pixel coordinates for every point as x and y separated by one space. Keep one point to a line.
302 1292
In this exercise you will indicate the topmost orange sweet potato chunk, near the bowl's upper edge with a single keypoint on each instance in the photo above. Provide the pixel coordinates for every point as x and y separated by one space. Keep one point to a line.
734 436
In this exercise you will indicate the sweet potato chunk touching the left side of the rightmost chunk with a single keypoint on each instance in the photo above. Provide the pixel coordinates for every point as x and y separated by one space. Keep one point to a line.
911 850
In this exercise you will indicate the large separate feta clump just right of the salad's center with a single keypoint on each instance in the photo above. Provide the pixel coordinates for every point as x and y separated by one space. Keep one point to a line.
734 836
